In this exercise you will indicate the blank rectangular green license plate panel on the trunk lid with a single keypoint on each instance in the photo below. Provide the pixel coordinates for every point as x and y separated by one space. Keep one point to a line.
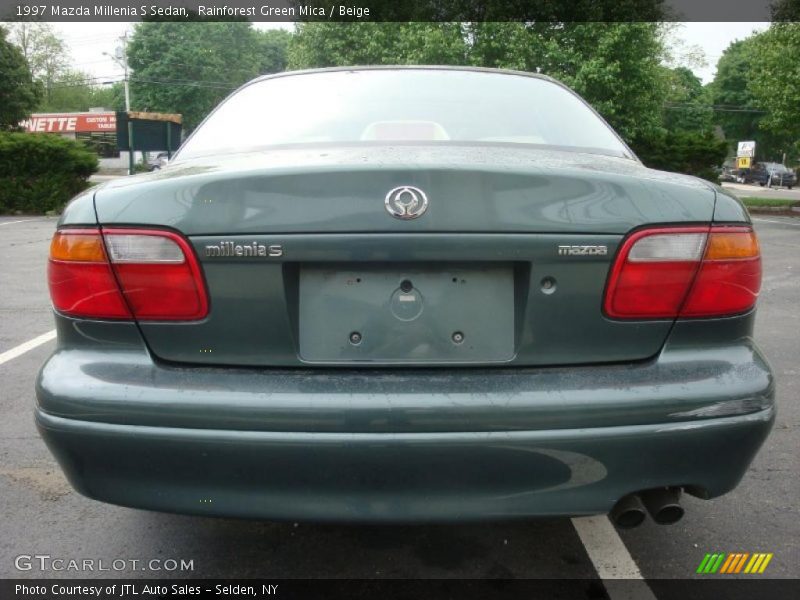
397 313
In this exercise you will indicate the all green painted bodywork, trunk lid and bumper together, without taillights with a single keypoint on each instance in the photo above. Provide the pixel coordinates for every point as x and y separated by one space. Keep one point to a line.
255 411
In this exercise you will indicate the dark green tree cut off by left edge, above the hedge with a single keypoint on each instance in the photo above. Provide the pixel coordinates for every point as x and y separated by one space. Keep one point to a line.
18 92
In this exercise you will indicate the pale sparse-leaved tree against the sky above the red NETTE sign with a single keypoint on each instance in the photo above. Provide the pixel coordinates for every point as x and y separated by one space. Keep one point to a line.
44 51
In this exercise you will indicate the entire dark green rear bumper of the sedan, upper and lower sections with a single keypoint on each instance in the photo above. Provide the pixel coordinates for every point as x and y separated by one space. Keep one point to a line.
401 444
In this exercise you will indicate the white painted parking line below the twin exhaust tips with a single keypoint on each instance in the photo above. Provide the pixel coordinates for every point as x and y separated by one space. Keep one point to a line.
611 559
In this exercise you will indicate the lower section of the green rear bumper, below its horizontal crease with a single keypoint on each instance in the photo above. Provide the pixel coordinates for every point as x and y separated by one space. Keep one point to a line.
398 476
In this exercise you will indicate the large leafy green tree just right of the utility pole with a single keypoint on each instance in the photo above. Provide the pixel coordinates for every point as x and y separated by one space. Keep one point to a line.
189 68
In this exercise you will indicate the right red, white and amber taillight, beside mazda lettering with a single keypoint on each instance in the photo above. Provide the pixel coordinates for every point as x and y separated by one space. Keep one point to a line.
685 272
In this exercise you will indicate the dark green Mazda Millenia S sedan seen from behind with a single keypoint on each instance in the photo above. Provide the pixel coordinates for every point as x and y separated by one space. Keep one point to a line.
405 294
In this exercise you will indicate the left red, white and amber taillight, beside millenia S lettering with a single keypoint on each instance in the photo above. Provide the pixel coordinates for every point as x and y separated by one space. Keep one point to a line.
125 273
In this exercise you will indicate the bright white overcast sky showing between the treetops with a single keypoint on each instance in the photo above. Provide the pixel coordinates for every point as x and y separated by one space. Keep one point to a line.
88 41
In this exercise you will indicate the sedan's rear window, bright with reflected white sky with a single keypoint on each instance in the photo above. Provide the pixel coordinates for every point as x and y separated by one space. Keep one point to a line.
391 106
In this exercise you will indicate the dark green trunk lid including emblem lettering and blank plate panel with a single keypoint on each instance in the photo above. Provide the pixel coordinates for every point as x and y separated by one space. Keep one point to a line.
299 253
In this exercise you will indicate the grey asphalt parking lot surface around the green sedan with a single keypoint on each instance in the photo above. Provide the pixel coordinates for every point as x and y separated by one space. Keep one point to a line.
42 515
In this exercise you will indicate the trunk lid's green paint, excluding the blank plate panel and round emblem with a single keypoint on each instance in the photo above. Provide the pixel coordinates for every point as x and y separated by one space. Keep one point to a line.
500 205
